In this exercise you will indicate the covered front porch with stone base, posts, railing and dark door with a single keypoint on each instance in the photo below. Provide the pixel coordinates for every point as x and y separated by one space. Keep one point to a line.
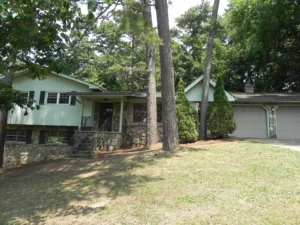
108 121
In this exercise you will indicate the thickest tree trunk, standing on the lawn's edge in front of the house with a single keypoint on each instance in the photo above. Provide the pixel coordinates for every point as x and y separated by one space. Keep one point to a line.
170 127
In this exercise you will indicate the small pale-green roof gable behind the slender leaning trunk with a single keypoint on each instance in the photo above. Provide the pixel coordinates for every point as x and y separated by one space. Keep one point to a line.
194 91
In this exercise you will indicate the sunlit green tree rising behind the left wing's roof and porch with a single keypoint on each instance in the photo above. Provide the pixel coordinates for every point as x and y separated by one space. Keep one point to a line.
111 57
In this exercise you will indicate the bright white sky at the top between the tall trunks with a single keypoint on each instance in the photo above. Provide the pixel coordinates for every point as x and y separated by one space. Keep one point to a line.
179 7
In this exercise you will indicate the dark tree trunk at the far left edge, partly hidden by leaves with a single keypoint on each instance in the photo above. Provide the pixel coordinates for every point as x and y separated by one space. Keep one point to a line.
3 120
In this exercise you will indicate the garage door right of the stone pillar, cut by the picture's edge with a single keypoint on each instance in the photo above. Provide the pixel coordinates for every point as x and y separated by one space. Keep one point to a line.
288 122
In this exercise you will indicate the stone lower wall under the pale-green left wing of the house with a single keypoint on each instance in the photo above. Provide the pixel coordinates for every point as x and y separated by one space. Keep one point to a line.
16 153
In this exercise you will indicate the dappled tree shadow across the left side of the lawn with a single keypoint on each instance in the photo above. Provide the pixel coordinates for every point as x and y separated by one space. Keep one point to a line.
28 195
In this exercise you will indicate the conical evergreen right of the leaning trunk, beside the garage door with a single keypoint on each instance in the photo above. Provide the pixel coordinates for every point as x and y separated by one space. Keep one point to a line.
220 118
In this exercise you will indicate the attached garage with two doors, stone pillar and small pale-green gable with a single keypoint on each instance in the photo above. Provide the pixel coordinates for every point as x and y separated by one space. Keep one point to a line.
257 115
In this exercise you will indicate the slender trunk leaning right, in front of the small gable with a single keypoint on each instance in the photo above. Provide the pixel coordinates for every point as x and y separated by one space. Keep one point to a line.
207 71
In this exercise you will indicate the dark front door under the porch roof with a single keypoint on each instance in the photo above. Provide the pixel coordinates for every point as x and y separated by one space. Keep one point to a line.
105 117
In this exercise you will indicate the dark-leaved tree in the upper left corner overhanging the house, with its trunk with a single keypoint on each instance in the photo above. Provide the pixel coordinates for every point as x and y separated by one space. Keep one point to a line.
32 36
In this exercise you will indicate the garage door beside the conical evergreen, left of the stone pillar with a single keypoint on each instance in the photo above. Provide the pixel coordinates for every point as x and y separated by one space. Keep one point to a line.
251 121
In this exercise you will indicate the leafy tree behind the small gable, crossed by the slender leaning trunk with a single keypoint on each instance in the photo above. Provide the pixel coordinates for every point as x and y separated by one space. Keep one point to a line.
189 44
